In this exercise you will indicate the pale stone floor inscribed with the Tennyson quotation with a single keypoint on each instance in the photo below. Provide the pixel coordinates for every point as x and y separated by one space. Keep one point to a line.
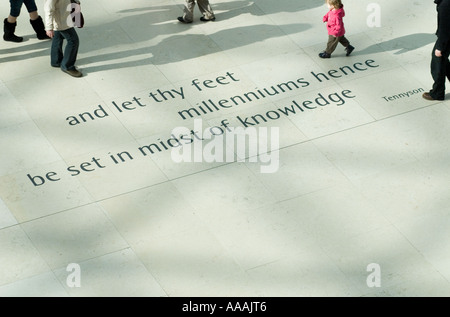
125 183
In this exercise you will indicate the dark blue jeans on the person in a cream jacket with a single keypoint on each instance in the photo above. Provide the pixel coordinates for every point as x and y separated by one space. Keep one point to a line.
66 60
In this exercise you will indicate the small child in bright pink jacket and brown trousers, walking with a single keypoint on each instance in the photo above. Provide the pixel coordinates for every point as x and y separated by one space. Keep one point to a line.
335 27
